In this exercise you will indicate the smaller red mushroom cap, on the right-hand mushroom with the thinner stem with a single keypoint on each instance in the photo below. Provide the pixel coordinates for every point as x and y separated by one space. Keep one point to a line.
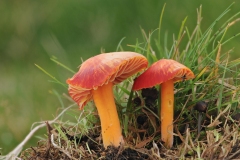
162 71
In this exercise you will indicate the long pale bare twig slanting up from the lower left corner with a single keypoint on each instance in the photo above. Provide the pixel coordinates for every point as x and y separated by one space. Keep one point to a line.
15 152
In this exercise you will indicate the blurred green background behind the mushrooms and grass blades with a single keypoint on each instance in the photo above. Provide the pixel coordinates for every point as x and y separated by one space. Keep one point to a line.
33 31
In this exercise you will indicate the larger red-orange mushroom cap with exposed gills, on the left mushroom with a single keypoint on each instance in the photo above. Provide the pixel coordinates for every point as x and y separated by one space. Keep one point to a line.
99 70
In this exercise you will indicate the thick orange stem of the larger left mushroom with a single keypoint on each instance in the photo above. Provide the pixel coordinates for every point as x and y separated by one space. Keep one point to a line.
107 111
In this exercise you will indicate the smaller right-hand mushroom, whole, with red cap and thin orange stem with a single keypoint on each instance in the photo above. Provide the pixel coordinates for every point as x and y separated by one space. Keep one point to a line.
165 72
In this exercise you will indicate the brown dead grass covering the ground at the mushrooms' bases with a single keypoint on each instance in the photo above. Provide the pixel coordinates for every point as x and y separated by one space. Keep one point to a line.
219 139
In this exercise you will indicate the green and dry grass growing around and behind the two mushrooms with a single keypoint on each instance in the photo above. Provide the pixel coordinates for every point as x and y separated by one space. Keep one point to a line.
207 54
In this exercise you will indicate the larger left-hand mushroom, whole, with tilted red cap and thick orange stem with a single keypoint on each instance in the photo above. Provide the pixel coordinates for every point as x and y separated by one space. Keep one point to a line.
95 80
